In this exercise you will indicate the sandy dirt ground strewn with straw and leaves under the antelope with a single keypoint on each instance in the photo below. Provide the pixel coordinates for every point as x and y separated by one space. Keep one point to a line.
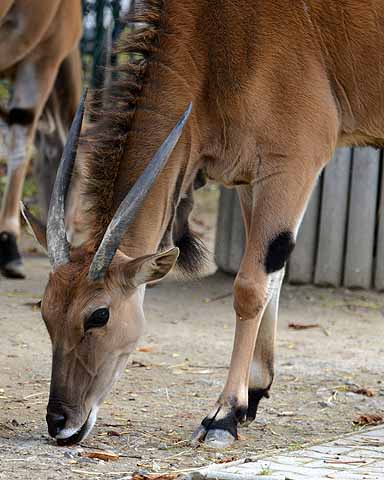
170 386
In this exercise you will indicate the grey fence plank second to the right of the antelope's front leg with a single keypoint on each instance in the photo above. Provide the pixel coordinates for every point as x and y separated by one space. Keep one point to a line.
333 220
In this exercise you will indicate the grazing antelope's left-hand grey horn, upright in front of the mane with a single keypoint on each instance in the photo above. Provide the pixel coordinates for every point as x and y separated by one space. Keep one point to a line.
57 243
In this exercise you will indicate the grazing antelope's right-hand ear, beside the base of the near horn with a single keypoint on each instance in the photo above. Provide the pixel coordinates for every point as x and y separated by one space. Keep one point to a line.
150 268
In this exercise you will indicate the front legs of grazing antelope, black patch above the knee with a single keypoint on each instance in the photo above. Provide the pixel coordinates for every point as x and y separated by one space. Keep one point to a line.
272 211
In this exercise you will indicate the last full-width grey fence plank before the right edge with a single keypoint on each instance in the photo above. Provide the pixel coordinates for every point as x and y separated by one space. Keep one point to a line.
362 218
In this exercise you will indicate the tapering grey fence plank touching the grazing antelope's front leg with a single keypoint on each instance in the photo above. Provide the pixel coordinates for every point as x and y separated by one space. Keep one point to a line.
301 264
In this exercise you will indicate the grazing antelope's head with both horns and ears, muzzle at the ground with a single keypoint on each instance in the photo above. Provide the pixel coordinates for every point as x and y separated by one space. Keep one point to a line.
93 303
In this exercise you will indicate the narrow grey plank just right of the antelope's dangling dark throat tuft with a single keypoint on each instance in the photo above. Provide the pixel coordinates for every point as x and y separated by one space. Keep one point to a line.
224 228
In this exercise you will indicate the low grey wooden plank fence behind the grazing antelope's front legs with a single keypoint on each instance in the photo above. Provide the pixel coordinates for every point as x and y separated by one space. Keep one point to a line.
341 239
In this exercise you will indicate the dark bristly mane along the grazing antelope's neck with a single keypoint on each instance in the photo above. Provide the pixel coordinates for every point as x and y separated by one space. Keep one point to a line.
107 135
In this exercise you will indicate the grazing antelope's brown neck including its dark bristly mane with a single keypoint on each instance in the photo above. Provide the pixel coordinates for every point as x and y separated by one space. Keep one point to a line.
148 95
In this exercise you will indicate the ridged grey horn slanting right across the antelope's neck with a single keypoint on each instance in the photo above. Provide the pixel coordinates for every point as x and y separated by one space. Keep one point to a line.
128 208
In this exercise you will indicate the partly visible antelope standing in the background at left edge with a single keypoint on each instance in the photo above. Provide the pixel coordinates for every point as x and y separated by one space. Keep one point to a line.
39 53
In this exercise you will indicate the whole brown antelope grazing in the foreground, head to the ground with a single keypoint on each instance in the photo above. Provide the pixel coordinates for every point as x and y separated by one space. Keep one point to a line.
275 87
